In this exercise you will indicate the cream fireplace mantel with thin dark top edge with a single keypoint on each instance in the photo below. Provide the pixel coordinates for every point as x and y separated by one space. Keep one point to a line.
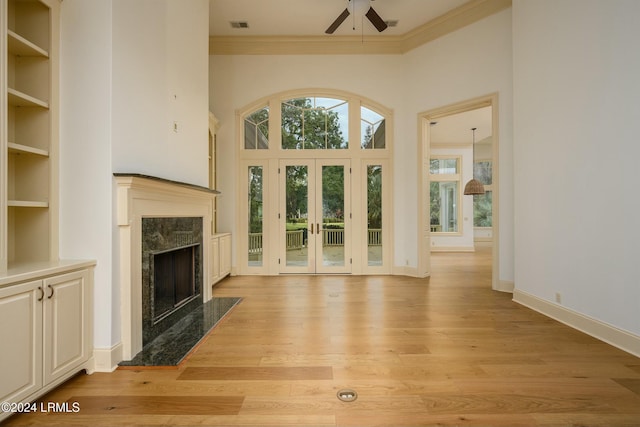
141 196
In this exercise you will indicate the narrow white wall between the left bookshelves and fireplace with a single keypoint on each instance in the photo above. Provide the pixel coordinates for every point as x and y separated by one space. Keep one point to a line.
85 150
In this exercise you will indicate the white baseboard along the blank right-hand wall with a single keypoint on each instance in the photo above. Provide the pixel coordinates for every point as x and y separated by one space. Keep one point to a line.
610 334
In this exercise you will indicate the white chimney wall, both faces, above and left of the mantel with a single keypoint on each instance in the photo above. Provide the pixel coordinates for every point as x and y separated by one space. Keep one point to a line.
122 63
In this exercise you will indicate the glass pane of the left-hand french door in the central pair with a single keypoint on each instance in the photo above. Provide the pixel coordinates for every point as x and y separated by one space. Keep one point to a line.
297 213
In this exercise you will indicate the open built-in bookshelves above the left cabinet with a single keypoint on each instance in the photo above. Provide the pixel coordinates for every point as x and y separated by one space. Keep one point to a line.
29 126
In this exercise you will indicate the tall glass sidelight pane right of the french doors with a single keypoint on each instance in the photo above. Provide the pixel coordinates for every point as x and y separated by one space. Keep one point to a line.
374 214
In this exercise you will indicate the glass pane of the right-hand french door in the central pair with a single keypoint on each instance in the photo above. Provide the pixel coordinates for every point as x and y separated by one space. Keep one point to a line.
333 216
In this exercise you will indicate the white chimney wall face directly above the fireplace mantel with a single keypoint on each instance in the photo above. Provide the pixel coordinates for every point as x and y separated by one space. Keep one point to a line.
160 76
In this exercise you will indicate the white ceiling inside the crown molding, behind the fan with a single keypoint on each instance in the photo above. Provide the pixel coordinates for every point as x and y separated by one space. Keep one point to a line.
312 17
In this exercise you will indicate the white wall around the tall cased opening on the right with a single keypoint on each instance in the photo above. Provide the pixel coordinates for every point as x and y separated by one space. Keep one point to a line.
471 62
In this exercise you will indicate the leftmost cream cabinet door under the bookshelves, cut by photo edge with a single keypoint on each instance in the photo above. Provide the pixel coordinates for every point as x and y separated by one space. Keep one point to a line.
21 338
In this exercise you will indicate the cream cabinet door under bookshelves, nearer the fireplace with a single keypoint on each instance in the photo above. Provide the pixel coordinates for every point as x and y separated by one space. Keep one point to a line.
67 327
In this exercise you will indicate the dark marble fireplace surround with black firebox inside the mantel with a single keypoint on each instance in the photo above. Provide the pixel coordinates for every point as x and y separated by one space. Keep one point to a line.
171 272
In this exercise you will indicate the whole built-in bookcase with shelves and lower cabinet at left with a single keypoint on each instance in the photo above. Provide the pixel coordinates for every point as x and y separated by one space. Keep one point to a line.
47 302
